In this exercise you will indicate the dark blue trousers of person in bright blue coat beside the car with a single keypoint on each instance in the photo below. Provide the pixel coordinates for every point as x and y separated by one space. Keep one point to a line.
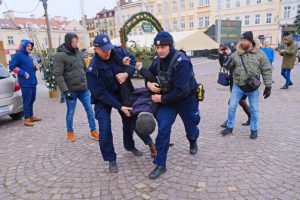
28 95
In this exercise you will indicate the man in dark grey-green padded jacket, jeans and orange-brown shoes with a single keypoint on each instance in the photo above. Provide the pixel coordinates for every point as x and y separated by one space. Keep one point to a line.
70 75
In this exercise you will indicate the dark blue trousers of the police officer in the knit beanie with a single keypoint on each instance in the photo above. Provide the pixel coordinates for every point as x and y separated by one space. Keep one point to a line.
166 115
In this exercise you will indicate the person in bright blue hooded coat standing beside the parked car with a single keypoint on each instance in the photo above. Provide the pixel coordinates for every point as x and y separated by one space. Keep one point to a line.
22 64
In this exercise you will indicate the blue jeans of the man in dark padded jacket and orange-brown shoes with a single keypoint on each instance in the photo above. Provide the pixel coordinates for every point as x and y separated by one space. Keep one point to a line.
85 98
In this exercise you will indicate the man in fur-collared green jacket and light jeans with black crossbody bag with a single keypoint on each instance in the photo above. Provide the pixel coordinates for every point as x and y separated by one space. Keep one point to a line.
248 58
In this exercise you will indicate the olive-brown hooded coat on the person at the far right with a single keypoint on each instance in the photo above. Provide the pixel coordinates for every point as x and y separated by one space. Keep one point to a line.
289 54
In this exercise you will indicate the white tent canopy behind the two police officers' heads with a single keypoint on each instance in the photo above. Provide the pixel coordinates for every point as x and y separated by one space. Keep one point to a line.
186 40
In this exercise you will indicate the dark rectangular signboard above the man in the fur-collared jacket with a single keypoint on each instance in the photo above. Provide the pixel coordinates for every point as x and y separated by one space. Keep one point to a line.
228 31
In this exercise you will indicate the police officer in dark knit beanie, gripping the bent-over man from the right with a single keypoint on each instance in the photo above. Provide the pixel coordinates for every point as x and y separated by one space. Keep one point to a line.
176 92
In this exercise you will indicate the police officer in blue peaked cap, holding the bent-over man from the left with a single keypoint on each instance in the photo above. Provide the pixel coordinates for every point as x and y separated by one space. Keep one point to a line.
110 67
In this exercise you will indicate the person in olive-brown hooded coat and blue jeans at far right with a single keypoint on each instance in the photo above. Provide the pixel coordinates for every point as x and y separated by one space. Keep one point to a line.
289 57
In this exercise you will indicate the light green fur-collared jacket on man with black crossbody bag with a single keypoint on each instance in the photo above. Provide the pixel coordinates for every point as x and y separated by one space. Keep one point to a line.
256 63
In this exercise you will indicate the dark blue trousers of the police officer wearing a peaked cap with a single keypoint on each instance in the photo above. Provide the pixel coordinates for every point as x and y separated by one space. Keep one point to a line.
103 115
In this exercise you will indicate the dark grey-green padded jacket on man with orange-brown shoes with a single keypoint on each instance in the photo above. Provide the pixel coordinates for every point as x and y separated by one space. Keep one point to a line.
70 70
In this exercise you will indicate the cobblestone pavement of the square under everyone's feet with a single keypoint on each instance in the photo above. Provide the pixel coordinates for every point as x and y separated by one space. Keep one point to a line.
38 163
